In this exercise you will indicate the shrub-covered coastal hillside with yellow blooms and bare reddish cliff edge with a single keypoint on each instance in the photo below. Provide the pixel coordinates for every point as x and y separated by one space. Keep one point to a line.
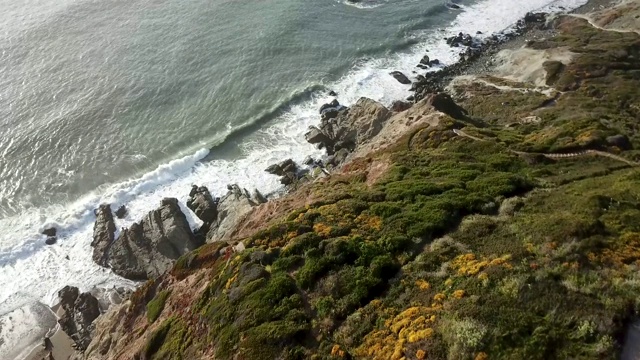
509 231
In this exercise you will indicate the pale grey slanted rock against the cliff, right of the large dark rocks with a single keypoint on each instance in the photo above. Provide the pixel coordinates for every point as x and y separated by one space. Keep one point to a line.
231 210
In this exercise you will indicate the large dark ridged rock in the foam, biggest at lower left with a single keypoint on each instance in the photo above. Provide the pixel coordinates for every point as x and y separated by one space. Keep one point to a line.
149 248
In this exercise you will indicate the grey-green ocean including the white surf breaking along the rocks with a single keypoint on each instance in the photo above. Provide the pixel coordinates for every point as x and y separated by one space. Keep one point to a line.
127 102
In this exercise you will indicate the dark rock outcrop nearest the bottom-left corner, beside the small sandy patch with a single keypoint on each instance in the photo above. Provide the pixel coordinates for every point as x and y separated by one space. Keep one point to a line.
79 312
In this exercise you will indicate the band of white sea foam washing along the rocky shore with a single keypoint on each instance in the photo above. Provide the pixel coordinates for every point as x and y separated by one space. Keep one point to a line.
32 271
